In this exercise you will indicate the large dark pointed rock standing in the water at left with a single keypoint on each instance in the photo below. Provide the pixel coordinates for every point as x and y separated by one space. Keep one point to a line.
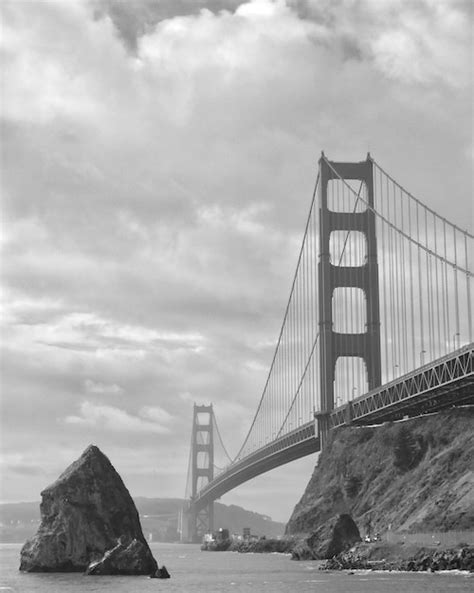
84 514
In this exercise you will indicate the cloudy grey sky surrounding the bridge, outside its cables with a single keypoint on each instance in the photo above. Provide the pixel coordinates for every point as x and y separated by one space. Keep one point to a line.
158 160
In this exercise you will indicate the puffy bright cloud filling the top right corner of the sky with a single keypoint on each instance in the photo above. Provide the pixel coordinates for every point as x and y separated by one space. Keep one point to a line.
421 42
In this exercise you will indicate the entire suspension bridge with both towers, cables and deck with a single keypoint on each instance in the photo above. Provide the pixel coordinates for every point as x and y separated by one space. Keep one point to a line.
378 326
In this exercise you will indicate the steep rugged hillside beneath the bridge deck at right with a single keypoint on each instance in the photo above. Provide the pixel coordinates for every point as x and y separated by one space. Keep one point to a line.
415 476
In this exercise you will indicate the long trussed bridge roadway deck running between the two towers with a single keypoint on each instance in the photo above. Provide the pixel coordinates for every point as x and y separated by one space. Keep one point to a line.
440 384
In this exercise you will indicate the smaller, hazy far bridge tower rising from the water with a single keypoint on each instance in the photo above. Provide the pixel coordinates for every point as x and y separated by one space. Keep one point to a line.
201 520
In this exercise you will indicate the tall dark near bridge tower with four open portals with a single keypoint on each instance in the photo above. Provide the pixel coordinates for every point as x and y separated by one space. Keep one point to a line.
334 344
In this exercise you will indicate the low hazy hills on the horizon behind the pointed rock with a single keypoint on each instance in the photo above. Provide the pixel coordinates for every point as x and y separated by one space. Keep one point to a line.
158 516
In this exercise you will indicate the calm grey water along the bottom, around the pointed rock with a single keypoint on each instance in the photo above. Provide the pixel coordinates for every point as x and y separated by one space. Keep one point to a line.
193 571
